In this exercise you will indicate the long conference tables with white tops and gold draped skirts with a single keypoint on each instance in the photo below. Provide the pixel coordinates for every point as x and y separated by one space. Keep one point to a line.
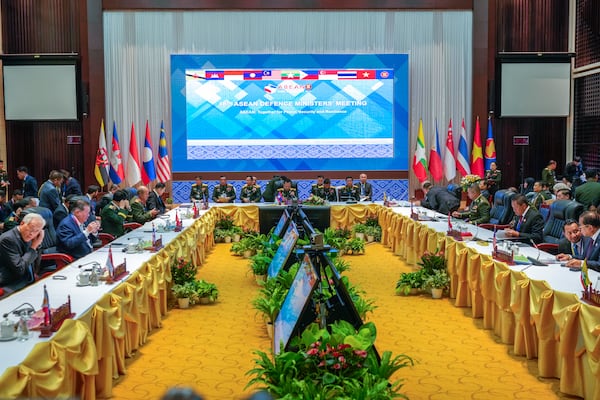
537 310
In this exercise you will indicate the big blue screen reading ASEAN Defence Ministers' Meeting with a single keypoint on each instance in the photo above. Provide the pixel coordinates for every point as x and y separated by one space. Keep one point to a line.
289 112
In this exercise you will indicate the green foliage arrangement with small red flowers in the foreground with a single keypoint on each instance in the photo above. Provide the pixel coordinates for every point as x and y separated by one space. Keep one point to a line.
336 364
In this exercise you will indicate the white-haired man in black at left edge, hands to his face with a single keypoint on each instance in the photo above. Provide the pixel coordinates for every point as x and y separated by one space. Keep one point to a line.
19 256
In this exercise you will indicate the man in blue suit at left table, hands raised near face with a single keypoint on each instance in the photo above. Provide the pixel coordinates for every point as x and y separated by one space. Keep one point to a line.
72 236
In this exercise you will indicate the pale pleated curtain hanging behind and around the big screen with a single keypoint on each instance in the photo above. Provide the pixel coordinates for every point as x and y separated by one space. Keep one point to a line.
138 46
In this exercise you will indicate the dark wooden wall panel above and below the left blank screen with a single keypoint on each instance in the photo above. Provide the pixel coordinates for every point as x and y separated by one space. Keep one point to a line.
30 27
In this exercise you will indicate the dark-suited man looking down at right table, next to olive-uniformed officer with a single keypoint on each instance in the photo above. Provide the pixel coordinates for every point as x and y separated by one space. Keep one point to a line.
527 224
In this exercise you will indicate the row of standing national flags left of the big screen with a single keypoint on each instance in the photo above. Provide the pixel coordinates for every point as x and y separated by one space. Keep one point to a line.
109 167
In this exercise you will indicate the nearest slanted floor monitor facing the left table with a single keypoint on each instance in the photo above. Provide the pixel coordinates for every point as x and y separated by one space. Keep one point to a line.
295 314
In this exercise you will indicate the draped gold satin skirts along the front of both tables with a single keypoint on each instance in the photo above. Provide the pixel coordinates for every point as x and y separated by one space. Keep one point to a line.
86 354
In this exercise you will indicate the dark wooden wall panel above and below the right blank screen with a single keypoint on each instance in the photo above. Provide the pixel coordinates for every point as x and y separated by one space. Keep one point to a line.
530 26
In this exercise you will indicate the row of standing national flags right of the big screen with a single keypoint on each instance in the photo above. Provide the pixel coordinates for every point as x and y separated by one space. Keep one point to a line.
453 161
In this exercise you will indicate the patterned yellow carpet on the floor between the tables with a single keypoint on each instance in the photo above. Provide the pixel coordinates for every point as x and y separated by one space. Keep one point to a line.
209 348
